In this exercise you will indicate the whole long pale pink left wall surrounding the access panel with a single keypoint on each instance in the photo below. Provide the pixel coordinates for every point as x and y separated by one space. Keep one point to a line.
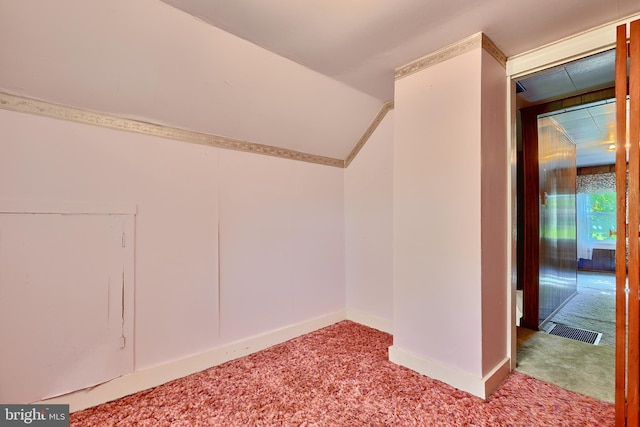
280 222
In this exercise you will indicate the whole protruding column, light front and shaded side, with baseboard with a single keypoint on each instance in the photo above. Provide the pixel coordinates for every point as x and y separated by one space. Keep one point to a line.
450 222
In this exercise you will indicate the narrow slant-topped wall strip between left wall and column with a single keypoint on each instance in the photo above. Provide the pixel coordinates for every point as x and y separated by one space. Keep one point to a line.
369 230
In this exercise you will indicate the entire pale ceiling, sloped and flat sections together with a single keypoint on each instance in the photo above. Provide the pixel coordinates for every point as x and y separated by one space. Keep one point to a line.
308 76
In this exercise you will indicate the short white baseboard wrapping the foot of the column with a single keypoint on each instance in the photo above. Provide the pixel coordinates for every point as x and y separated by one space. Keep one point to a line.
478 386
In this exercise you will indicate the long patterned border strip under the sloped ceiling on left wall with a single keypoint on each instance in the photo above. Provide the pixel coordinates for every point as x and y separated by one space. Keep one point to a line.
47 109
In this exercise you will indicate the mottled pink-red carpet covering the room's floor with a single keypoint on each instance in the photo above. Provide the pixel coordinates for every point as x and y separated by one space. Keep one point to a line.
340 376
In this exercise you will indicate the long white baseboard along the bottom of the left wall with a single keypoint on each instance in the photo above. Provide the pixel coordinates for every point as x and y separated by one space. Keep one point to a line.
157 375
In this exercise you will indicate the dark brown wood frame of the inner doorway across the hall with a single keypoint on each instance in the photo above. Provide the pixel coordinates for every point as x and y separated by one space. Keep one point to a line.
530 199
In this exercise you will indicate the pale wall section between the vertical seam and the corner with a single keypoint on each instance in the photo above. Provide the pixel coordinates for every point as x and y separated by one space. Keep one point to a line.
281 243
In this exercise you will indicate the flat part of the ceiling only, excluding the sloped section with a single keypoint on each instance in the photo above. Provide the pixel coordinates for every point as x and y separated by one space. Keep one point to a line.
360 42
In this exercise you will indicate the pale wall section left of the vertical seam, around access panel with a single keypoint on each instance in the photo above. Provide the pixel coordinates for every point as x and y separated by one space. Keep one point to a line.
45 160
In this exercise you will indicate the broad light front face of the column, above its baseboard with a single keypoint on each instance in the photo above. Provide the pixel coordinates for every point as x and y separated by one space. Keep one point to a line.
437 253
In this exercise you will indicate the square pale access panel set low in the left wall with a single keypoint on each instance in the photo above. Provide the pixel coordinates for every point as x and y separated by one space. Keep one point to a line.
66 302
